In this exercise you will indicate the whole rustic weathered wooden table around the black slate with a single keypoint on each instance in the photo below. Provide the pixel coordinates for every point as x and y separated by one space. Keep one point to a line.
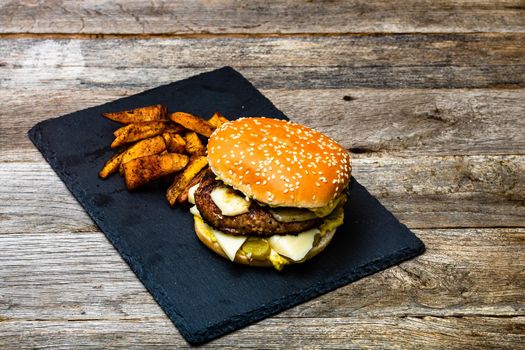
428 96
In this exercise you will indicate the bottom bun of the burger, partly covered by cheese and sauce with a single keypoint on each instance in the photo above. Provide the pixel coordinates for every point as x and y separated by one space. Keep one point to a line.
241 258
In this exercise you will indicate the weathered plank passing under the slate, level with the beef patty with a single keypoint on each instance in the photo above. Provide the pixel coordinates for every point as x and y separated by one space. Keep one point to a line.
423 192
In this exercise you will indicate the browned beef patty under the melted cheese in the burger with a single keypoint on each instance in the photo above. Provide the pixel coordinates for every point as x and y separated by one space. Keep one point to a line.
258 221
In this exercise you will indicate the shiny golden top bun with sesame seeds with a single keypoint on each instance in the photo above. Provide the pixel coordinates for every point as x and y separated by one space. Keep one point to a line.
279 162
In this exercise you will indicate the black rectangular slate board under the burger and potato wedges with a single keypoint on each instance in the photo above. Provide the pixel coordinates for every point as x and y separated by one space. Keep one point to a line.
203 294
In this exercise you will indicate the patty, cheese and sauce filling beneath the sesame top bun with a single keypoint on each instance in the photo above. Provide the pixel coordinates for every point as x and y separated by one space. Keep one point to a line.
246 228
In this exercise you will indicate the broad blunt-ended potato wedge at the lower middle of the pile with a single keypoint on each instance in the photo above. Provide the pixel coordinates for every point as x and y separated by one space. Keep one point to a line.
140 171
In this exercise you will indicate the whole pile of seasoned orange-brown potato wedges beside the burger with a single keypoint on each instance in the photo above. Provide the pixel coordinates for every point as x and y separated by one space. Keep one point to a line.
152 144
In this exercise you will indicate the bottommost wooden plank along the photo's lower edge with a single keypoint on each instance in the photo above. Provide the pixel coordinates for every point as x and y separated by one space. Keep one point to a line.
311 333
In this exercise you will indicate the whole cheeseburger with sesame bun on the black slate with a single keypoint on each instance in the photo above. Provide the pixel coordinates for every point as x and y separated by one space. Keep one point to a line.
273 194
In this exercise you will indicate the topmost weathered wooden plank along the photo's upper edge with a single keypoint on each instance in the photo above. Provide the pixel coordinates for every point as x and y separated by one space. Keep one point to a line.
277 16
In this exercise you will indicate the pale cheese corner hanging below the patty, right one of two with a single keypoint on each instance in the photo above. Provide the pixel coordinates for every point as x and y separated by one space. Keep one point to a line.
294 247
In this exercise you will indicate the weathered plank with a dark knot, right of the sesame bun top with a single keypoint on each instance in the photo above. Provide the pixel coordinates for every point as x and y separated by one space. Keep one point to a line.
412 121
